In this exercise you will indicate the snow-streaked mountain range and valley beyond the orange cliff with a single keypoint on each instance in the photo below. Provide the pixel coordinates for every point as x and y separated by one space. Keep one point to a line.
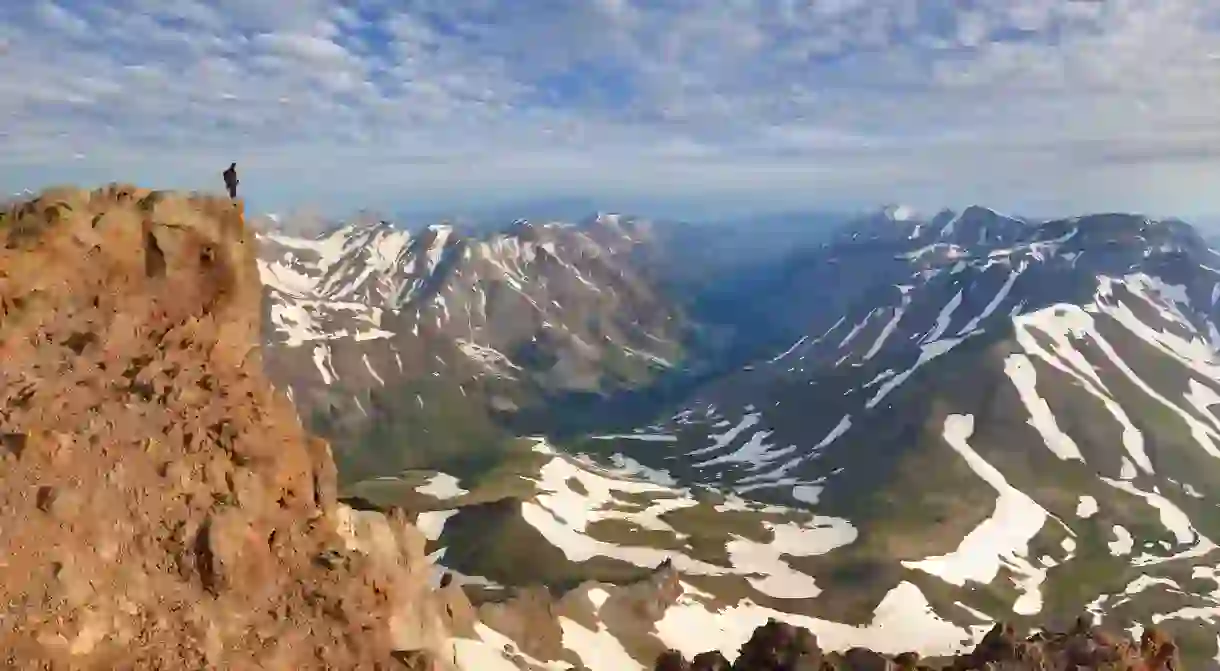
896 430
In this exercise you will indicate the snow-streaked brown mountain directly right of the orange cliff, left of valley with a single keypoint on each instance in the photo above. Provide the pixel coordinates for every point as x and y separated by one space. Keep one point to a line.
382 335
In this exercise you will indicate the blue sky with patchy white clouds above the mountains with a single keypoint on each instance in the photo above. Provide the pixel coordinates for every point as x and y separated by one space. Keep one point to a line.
1056 107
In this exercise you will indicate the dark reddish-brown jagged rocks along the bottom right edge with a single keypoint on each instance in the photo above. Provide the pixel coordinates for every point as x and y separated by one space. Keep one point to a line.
783 647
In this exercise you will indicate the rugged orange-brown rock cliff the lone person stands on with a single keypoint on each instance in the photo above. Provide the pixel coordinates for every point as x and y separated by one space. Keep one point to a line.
164 508
